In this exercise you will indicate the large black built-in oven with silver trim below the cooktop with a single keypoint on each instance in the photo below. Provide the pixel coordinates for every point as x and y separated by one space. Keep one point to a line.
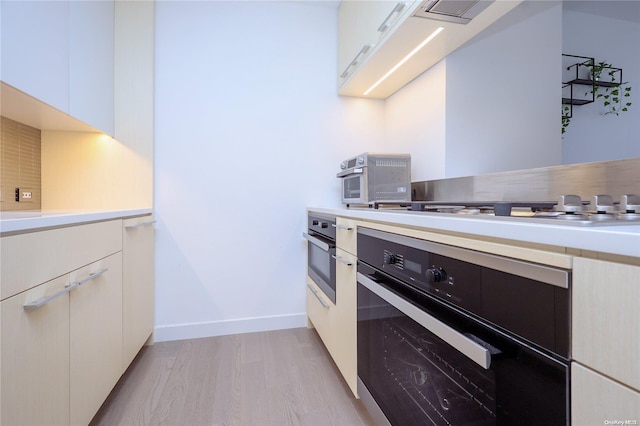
448 336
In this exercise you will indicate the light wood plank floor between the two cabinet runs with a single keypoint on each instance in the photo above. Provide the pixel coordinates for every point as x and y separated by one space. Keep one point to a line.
277 378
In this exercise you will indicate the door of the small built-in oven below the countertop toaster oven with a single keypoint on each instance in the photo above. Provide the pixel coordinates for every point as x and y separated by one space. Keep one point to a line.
321 263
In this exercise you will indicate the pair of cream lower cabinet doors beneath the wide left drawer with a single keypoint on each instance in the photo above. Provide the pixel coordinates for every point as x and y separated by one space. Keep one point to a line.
62 346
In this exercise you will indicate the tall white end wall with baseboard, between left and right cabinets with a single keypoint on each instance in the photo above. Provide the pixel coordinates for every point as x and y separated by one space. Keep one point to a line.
249 131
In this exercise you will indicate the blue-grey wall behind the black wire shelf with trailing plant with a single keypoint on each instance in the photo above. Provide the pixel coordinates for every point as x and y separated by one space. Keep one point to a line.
592 136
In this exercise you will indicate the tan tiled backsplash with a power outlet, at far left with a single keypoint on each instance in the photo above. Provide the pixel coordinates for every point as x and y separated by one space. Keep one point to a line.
20 166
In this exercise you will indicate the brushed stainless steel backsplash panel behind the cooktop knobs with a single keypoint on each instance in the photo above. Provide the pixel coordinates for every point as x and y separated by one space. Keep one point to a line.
614 178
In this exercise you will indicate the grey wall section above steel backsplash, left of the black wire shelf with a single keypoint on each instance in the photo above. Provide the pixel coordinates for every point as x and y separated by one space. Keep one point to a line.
503 94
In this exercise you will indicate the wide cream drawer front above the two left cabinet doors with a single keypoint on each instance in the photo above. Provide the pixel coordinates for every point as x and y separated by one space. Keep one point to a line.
33 258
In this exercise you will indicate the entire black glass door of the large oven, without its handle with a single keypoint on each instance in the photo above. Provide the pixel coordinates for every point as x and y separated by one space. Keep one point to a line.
416 378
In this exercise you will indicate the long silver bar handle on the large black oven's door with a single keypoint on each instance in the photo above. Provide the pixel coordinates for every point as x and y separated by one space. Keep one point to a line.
472 350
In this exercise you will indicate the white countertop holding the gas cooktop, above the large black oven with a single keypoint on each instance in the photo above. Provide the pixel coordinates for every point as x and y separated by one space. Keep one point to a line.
615 239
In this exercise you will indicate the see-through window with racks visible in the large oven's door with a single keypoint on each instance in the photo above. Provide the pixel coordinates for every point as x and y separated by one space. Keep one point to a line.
414 376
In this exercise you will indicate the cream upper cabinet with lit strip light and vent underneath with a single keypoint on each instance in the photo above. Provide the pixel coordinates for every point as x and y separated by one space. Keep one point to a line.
393 32
